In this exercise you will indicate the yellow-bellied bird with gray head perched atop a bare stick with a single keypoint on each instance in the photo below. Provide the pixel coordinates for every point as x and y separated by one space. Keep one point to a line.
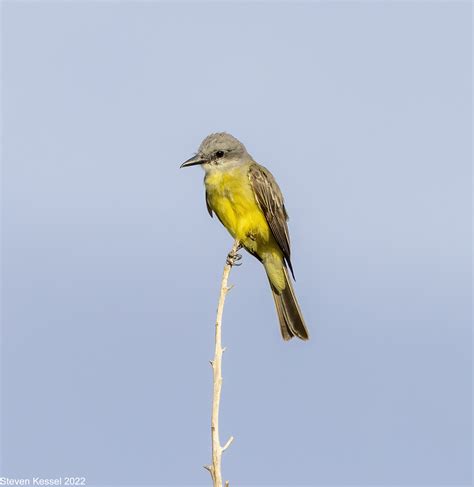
248 202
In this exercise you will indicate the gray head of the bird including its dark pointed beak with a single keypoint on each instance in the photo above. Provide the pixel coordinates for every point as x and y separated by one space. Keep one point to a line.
219 150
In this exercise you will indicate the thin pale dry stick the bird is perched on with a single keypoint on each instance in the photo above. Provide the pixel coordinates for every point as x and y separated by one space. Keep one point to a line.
217 449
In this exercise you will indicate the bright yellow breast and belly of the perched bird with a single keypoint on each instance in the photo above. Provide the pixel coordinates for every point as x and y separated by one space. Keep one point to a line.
231 197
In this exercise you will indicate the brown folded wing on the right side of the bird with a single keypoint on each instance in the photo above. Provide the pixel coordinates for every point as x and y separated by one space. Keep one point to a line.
270 200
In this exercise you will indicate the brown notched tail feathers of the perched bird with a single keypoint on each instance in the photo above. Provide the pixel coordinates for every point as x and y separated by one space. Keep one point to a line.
288 310
